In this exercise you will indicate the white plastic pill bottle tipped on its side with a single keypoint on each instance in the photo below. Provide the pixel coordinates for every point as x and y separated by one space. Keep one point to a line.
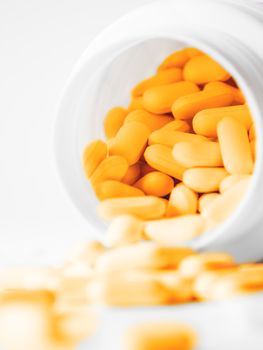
230 31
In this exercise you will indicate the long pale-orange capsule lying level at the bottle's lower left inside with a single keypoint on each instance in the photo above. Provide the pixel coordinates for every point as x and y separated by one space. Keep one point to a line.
144 207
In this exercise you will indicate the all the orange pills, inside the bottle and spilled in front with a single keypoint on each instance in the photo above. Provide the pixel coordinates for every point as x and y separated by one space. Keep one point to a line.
176 163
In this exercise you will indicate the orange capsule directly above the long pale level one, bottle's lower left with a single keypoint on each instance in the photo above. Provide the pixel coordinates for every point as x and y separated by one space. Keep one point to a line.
116 189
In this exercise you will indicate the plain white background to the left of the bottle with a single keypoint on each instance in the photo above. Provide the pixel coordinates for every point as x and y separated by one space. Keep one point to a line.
40 40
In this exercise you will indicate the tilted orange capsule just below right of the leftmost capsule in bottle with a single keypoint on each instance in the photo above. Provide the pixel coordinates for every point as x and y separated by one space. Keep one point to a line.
111 168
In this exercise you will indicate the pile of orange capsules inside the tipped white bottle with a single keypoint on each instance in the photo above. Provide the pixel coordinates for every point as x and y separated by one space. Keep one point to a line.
179 160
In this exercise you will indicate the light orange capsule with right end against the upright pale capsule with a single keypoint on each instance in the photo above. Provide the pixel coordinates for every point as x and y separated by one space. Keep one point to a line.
199 154
